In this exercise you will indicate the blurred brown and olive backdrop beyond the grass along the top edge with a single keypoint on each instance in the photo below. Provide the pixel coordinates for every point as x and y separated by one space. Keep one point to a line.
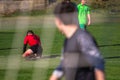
12 6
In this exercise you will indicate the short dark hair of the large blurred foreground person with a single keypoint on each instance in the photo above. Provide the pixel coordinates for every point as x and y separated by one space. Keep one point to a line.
67 12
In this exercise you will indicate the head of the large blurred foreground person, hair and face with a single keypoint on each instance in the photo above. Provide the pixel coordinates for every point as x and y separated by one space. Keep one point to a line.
65 14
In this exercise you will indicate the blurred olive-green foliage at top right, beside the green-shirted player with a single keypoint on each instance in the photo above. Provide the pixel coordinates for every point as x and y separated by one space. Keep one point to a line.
110 5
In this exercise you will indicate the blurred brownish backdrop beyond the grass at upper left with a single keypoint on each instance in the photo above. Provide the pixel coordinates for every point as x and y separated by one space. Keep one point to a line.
27 7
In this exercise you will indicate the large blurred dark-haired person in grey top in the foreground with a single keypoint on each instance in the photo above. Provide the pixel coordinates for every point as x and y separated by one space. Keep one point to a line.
81 58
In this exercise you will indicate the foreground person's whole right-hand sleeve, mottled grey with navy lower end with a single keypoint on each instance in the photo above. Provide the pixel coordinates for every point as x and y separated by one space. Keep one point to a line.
88 47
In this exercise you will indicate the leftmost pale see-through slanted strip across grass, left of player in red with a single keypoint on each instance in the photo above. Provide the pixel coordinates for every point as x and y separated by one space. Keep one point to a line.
13 65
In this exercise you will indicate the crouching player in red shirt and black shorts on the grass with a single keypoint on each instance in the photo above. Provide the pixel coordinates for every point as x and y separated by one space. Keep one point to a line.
35 50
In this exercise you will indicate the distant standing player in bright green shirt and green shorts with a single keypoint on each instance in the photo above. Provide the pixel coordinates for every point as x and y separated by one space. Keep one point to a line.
83 14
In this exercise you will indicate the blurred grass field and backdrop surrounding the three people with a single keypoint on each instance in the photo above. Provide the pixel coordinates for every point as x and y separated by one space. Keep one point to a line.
18 16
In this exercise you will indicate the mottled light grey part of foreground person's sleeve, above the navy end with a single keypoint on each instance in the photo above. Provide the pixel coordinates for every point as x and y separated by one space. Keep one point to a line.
87 45
